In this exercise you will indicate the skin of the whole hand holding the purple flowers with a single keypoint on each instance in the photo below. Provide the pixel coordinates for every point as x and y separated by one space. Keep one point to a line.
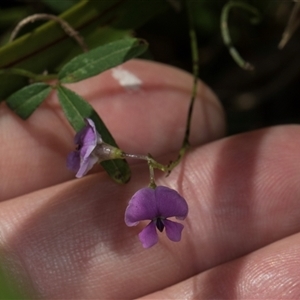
65 238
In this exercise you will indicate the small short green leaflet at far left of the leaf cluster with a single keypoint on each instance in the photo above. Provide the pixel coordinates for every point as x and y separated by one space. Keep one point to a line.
26 100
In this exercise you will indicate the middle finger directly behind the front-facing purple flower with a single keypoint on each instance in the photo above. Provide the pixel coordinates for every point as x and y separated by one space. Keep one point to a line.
235 189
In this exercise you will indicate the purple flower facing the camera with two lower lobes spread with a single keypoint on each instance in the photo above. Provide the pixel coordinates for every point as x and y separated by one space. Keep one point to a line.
156 205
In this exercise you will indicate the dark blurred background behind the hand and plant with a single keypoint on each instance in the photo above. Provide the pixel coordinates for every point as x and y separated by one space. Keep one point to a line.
269 95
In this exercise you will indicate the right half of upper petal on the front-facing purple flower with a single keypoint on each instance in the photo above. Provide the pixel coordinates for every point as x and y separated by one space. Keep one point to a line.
170 203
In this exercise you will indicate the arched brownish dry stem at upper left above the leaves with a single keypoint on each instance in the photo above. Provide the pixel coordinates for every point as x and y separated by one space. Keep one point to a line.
65 26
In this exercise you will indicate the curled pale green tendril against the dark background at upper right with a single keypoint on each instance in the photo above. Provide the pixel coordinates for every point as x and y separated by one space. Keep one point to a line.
226 35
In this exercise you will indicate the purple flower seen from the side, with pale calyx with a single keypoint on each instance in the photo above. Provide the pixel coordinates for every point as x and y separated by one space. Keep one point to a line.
90 149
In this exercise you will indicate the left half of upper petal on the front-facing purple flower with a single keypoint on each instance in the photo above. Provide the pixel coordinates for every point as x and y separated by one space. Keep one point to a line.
142 206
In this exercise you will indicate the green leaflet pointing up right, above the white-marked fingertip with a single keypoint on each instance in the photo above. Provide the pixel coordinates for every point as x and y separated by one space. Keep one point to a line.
100 59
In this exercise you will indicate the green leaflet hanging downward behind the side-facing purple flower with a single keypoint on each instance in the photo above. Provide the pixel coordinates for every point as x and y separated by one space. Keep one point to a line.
76 109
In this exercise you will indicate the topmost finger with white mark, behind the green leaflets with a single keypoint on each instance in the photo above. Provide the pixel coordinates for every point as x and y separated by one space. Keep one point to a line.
148 119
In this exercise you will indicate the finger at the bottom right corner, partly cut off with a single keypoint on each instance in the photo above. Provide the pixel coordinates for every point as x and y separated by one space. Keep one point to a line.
269 273
